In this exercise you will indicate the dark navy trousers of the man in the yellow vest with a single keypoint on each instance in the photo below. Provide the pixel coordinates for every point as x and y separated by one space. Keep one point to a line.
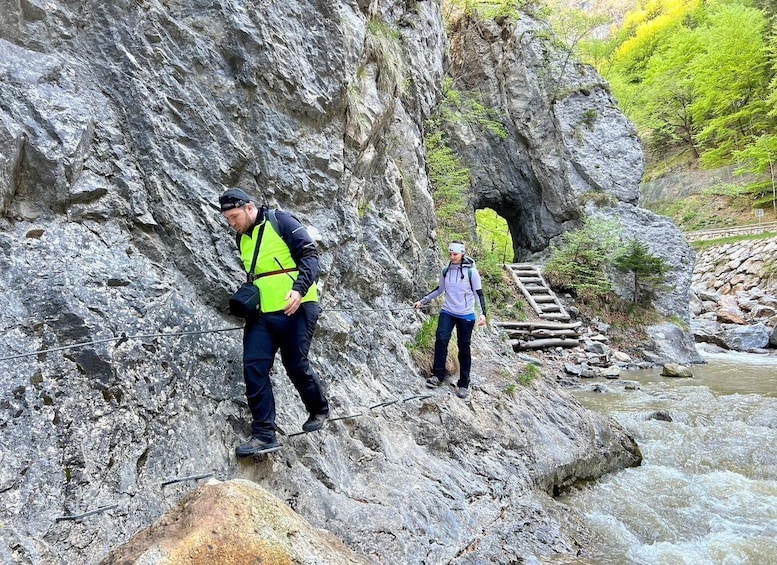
262 338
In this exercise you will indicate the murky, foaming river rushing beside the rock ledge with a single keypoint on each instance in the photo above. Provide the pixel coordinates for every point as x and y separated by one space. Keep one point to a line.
706 492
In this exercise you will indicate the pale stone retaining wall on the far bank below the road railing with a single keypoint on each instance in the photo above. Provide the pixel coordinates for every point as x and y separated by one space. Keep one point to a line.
733 267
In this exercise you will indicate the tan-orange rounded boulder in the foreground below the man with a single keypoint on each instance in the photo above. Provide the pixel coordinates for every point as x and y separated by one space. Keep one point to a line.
232 522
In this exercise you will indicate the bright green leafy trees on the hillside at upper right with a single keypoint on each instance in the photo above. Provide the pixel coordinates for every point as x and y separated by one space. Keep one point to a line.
698 78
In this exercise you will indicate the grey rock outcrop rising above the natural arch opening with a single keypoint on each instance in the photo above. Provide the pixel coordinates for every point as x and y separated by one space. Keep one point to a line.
562 125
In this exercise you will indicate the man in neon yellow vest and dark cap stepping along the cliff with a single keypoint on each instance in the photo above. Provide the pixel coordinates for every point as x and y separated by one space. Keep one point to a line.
285 272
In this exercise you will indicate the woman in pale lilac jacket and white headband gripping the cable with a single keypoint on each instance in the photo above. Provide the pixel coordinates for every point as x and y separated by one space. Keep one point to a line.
460 282
